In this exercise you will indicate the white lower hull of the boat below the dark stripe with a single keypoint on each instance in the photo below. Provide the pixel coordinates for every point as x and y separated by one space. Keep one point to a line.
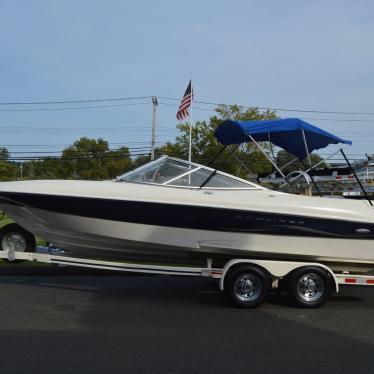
111 238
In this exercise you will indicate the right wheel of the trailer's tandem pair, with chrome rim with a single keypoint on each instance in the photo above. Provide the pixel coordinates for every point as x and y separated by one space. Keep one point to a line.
309 286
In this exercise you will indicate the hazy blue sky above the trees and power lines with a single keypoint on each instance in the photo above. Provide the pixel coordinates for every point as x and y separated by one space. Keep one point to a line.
304 55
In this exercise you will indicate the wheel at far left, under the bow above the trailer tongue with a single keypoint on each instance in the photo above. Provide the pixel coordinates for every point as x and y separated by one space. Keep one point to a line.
14 237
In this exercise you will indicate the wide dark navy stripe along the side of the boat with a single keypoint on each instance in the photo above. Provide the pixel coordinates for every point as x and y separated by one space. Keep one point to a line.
191 217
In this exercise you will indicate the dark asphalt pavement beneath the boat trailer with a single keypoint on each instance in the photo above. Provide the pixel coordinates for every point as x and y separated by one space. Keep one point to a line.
160 324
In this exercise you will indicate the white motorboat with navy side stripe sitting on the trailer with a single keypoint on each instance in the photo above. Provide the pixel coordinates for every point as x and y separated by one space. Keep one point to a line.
173 210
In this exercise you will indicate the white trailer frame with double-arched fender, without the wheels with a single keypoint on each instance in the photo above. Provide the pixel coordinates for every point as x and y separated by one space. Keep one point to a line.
277 270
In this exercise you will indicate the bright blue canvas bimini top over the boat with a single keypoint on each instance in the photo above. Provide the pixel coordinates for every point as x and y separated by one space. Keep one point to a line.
285 133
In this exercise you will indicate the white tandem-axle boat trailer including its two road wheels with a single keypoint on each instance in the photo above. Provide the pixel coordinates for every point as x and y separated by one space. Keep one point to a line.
245 281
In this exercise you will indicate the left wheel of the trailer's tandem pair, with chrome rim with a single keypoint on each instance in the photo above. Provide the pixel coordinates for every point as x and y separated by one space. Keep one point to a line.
247 286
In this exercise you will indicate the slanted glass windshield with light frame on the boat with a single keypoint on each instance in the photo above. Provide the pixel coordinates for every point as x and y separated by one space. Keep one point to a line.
170 171
